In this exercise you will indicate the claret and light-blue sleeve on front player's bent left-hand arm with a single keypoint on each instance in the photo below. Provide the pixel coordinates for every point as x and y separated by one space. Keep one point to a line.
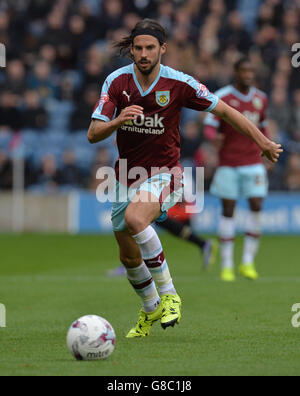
105 110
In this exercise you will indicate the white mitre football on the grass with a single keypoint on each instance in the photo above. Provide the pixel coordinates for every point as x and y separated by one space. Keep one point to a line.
91 338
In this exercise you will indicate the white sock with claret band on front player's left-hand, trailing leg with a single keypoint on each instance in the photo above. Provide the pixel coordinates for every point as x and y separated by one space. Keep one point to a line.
143 284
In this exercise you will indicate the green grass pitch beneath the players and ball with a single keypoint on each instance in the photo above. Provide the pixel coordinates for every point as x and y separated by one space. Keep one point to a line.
48 281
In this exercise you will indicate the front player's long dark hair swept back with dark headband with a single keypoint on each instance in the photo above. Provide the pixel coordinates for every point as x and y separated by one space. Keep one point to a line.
125 44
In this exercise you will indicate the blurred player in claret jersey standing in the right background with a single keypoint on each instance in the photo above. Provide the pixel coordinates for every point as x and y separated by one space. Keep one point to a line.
241 172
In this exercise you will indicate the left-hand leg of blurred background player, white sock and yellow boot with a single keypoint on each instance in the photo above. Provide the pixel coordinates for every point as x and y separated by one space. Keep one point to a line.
227 235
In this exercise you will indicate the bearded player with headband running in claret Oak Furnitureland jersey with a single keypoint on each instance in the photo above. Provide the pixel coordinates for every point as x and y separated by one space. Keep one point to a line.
143 102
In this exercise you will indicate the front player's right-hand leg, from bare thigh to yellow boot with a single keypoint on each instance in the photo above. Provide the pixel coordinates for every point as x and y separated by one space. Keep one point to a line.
141 212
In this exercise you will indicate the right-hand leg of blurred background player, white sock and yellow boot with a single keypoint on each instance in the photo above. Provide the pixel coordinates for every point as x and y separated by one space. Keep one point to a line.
252 239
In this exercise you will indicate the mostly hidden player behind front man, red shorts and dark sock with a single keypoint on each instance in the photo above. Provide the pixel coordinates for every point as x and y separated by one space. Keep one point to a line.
178 224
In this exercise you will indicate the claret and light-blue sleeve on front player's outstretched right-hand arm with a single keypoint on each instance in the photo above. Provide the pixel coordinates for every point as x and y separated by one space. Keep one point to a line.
197 97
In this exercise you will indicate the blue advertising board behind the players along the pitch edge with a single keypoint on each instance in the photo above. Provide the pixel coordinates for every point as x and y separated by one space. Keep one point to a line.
281 215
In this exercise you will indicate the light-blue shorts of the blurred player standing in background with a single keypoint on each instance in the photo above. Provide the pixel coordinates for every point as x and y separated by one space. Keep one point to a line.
240 182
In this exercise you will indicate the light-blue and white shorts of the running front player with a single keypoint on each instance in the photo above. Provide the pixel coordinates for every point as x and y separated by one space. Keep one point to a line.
162 186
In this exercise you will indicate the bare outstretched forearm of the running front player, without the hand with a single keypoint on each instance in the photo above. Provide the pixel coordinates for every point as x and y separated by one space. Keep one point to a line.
239 122
